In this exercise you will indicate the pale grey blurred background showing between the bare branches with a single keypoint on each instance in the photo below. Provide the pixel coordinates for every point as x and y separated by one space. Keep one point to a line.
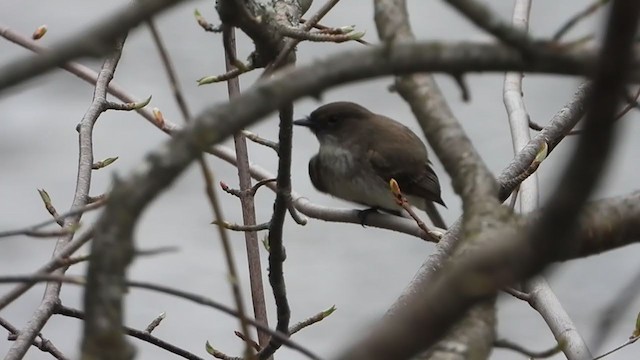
359 270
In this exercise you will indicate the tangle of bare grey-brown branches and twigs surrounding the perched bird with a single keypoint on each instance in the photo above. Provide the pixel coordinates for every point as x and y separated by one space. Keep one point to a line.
449 309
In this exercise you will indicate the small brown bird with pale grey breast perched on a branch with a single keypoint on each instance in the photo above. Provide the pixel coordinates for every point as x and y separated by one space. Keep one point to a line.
360 152
